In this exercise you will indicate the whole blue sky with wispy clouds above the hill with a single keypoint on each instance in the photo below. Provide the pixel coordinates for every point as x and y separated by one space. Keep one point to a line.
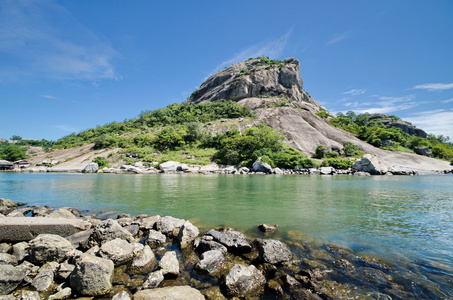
66 66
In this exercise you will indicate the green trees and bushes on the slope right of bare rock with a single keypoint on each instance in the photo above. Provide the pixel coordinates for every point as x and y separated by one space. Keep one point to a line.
377 134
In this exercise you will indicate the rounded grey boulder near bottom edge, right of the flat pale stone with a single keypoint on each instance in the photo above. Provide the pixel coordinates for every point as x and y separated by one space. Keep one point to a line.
242 280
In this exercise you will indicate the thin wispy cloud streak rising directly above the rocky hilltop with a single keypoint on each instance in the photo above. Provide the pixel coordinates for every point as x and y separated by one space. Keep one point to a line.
272 49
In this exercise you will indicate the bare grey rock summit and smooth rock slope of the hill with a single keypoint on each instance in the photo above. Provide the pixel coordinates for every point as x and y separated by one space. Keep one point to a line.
273 90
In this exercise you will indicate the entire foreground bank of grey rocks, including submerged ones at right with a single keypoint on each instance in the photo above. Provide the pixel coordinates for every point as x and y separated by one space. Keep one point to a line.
64 253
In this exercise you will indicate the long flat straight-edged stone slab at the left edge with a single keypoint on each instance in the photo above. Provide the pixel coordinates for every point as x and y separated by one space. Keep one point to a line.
26 228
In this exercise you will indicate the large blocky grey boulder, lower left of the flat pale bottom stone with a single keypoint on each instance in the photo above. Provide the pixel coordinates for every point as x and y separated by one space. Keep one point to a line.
92 275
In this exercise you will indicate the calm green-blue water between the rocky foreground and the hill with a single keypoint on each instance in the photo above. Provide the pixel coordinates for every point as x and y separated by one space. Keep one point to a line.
404 220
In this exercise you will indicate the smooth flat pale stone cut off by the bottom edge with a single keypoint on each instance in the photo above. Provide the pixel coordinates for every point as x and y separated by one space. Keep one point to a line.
170 293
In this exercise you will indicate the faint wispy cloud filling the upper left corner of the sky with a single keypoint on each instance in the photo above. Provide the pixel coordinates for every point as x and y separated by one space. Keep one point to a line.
44 39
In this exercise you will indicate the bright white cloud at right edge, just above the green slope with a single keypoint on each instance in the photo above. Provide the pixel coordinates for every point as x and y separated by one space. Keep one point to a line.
438 122
